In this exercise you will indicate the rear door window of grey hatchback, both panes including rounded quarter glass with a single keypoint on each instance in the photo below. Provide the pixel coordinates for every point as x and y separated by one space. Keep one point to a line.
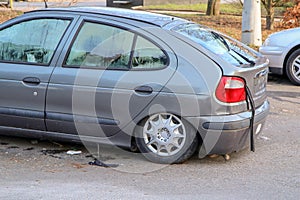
103 46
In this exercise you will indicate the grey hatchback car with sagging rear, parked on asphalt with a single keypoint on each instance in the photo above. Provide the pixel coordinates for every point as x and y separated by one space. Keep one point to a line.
163 85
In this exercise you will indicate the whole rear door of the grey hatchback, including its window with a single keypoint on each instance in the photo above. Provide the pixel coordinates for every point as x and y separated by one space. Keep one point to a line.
109 74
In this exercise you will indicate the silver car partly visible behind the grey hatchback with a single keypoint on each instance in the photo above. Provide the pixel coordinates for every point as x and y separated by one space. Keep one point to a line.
283 51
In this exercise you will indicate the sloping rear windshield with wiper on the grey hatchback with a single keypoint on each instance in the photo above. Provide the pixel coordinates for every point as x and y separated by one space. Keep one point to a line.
223 46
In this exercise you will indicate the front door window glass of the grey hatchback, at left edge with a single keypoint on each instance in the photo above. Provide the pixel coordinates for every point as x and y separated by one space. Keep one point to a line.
33 41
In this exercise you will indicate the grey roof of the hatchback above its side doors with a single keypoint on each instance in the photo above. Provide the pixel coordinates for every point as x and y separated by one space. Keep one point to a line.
143 16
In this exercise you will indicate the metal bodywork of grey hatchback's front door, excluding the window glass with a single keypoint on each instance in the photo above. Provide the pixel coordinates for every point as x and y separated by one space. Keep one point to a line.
23 104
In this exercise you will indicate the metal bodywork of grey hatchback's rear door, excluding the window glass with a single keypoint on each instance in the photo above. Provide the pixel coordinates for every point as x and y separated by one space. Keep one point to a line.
88 94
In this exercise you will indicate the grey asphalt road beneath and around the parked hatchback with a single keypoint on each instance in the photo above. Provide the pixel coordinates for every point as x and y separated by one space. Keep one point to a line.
31 169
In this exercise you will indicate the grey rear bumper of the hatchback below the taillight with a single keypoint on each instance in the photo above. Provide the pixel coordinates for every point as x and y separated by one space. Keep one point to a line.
230 133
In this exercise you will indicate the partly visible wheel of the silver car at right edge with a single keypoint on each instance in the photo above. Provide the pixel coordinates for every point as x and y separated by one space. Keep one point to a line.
293 67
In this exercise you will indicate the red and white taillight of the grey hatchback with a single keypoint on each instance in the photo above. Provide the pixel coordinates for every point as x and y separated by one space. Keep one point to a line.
231 90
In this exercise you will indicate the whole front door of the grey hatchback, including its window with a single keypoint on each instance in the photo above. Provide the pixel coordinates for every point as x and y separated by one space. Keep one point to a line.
27 46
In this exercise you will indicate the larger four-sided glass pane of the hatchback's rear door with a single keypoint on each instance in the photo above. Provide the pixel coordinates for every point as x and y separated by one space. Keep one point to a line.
101 46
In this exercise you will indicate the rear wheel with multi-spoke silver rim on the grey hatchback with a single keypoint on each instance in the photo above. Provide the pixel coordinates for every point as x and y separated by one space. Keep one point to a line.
165 138
